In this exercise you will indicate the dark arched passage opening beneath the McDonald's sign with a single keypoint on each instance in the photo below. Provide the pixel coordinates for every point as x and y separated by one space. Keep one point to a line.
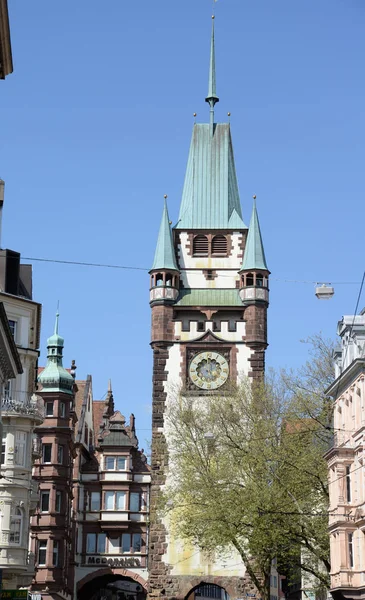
112 587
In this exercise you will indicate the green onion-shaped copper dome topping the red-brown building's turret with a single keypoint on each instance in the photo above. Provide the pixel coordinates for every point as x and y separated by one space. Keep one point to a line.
54 378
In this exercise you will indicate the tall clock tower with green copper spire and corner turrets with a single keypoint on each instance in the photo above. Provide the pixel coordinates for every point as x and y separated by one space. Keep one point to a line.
209 296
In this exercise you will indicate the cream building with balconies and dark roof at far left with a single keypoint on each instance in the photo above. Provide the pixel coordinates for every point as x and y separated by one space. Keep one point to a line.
21 412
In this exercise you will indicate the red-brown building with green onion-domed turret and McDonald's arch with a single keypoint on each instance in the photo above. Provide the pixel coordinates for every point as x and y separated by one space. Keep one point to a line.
89 532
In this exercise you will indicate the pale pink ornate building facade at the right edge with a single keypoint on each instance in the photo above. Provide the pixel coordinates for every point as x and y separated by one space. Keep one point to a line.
346 470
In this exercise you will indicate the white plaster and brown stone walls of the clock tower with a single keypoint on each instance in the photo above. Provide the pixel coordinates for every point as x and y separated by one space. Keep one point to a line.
179 332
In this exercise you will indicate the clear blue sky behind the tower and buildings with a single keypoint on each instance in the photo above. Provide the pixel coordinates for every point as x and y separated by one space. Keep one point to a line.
95 128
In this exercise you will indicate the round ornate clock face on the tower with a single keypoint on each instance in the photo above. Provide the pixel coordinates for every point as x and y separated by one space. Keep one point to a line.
208 370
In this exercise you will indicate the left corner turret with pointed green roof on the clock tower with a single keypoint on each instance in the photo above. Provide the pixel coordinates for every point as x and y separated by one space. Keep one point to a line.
164 283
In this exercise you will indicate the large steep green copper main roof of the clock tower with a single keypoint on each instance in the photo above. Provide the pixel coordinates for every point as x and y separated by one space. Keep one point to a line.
210 197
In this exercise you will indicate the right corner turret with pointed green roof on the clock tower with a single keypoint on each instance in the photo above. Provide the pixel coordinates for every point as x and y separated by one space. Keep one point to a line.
254 274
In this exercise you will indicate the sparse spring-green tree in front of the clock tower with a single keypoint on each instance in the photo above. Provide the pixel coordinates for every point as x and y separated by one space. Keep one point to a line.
246 470
